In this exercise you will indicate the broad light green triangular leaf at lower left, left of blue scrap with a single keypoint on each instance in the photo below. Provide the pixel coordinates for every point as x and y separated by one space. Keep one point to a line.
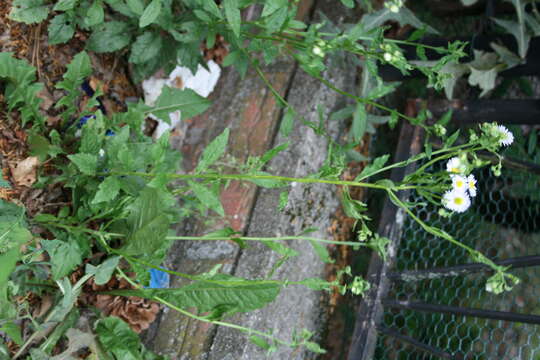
65 256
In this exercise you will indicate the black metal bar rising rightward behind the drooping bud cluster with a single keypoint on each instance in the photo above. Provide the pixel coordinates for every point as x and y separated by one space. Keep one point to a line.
417 275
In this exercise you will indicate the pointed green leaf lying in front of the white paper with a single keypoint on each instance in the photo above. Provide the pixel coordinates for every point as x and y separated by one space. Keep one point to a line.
186 100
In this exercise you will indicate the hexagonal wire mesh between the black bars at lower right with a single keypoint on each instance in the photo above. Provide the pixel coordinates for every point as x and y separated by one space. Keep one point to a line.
503 222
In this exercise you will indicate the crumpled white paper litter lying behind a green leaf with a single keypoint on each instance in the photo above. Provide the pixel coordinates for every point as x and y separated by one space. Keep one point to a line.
202 82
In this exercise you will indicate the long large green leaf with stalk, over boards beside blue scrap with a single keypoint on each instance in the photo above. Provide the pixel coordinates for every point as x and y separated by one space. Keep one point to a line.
239 294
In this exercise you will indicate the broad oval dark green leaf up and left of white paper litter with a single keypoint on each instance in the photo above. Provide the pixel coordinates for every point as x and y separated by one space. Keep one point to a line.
110 36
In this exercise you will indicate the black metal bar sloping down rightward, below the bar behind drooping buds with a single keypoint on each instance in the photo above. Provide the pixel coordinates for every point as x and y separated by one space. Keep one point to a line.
469 312
